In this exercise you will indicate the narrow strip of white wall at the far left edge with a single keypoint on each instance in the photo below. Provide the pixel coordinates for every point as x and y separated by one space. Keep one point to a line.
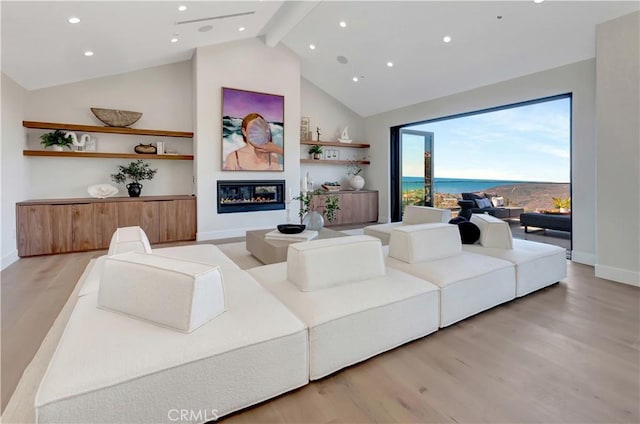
15 184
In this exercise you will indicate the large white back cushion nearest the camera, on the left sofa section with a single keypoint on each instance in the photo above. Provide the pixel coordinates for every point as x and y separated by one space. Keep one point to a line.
170 292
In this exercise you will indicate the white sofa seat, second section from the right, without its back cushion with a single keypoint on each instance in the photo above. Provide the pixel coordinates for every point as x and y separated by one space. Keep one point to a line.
469 283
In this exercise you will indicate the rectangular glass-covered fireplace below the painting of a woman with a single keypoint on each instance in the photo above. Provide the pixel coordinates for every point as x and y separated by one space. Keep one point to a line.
250 196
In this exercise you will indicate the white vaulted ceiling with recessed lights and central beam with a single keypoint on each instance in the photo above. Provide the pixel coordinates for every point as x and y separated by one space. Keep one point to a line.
490 41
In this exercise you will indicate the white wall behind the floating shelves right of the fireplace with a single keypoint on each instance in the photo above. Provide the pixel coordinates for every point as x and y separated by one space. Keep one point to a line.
331 116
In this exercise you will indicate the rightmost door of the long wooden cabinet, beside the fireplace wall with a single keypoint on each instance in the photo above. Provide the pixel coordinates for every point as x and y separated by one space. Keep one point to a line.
177 220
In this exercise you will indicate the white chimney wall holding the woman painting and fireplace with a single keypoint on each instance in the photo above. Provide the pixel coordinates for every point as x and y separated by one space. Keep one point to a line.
248 65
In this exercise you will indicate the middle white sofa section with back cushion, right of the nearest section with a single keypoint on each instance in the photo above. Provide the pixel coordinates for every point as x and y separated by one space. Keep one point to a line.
353 305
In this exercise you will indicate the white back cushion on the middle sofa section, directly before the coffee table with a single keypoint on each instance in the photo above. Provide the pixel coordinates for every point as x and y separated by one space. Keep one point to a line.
319 264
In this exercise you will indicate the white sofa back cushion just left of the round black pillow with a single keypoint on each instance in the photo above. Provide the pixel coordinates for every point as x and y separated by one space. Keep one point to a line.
424 242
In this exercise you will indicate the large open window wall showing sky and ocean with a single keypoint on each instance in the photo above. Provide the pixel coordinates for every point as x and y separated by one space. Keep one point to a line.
518 152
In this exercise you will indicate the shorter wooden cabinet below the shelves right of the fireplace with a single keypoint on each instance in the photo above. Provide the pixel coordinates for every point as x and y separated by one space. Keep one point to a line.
356 207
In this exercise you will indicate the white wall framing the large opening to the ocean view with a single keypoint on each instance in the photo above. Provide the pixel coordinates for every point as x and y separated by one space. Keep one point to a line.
577 78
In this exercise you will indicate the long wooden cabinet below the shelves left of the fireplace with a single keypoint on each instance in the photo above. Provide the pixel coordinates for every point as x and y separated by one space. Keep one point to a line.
76 225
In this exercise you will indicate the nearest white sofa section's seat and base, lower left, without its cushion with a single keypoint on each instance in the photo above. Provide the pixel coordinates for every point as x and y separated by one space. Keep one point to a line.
110 368
